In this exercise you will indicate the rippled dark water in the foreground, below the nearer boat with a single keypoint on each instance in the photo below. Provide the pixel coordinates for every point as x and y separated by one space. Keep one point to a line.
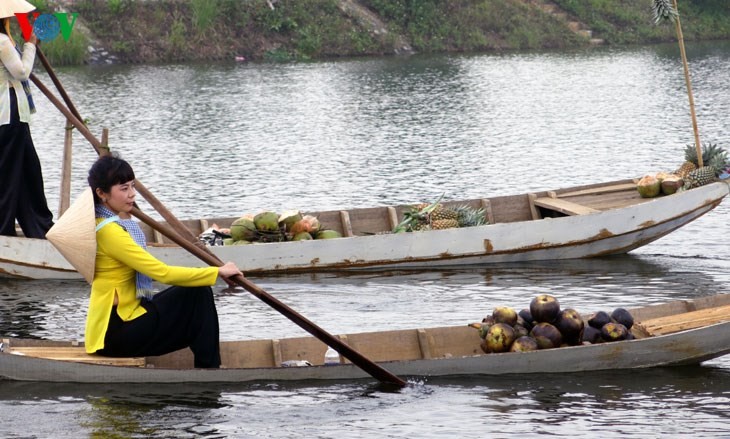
585 404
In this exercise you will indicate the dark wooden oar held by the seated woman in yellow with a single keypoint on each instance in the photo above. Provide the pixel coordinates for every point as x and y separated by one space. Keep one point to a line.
351 354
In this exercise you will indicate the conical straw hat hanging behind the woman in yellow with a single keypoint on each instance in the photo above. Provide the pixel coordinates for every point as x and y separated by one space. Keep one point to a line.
74 235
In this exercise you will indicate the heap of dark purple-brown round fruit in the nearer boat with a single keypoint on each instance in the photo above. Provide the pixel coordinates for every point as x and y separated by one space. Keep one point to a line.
544 325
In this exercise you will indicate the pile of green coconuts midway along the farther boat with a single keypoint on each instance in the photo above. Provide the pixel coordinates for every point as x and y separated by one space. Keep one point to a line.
269 226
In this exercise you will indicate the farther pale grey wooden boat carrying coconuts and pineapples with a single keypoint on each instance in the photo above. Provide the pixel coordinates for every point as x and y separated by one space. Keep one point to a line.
577 222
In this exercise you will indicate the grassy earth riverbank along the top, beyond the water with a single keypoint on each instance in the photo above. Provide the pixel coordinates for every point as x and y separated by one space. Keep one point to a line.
132 31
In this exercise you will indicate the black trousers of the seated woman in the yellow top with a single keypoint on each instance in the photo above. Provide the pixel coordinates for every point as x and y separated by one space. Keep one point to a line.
176 318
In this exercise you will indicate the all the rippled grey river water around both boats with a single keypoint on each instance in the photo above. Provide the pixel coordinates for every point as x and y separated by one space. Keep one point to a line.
234 138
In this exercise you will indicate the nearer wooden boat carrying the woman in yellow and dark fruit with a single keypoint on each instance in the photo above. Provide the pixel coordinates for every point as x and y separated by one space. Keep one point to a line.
675 333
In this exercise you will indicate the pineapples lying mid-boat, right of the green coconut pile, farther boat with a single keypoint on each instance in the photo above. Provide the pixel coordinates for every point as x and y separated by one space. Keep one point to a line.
436 216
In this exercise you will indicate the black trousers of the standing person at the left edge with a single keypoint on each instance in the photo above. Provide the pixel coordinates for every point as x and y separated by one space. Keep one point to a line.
22 196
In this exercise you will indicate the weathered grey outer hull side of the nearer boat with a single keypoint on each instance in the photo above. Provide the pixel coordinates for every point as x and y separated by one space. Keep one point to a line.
689 347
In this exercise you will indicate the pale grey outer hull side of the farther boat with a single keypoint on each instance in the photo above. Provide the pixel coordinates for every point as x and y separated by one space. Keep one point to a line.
602 233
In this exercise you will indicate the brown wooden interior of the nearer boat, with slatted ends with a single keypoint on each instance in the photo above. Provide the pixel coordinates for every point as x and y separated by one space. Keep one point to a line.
395 345
